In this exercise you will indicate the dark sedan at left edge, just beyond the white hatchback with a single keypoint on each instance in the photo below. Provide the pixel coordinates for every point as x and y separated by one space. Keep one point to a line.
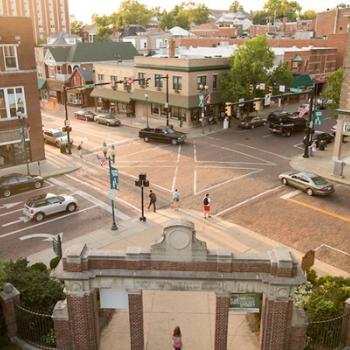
13 183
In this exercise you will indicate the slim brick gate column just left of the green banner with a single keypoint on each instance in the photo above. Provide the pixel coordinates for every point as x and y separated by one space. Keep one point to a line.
221 321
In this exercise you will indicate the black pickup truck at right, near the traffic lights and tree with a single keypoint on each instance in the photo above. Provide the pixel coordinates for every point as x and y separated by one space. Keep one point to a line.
286 124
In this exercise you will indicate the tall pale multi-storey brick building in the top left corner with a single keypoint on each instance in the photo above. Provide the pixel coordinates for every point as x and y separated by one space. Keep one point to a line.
49 16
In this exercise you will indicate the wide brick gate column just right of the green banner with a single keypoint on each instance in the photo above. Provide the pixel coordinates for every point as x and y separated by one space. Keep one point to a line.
275 323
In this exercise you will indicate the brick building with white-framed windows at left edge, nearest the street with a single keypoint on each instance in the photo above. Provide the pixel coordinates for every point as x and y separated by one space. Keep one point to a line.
20 119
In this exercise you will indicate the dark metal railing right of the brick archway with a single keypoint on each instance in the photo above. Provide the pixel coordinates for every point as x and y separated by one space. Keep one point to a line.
327 335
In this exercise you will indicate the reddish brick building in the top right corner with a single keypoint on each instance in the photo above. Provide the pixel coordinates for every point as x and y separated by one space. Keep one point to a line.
332 21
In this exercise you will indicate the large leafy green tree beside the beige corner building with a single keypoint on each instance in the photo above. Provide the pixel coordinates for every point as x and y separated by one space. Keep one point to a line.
250 64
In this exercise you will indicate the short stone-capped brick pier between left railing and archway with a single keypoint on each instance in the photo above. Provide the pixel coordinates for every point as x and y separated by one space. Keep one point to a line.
62 326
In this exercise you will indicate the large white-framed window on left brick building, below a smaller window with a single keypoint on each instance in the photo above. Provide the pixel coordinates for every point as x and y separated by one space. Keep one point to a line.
12 102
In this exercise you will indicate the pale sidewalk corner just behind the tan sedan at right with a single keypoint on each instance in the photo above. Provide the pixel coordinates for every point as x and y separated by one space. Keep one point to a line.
322 164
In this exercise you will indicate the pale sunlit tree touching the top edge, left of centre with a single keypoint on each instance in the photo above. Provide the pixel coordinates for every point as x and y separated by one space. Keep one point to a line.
133 12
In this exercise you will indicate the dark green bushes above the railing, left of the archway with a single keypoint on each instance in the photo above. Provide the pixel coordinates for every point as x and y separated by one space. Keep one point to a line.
38 291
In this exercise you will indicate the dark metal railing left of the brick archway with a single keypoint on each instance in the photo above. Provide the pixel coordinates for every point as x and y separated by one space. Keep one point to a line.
35 328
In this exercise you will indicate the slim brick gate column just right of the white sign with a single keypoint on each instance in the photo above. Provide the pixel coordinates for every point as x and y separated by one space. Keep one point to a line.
136 320
